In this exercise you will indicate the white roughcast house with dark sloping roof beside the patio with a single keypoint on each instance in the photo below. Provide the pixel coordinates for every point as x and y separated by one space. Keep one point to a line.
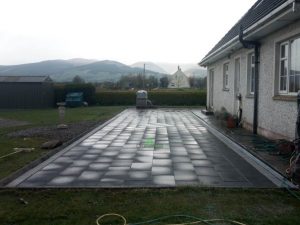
259 60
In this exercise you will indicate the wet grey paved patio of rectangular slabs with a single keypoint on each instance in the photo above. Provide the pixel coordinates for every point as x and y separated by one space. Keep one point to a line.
146 148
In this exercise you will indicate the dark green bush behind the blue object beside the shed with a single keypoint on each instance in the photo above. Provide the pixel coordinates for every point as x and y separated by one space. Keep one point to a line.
88 91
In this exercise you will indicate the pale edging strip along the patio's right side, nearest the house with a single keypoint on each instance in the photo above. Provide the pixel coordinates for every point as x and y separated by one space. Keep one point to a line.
266 170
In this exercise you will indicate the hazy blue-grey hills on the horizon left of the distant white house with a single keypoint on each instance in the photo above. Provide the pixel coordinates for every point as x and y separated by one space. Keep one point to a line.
66 70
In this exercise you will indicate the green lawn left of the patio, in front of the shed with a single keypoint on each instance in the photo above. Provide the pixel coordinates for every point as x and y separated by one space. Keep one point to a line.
38 118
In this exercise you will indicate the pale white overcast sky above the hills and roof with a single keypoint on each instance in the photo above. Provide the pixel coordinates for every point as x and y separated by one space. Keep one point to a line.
176 31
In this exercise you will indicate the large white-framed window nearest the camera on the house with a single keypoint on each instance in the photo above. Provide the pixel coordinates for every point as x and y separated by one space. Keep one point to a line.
289 66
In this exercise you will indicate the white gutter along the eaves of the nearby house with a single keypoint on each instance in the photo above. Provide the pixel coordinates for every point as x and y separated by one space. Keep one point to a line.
235 41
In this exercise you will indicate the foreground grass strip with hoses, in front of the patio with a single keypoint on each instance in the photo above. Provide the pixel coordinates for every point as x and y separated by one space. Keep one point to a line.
83 206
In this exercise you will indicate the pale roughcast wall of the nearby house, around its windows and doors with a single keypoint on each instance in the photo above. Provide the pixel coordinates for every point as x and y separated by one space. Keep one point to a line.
276 118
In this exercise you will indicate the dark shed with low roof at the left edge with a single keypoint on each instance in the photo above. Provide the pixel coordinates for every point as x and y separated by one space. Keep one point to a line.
26 92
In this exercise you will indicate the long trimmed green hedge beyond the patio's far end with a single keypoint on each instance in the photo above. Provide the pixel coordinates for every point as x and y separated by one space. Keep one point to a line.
159 98
